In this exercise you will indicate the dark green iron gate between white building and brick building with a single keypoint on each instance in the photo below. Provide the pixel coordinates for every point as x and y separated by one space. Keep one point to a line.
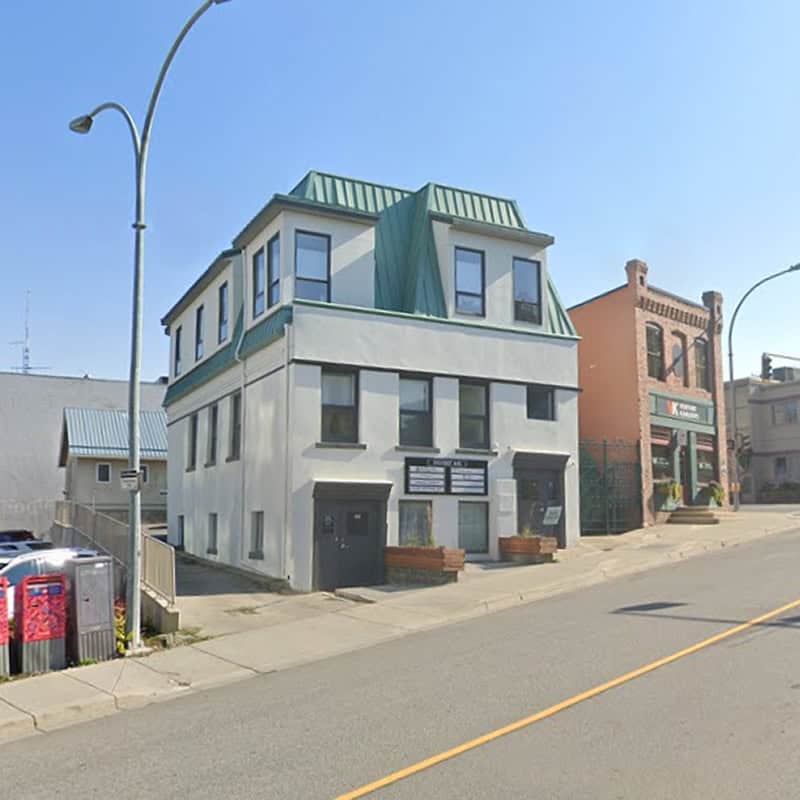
611 491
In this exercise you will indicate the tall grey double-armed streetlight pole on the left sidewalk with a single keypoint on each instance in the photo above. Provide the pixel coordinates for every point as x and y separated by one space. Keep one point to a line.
141 145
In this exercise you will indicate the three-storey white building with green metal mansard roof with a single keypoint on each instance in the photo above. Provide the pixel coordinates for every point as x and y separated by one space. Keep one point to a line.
370 366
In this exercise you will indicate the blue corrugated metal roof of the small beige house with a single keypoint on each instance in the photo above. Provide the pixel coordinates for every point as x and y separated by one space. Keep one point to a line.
103 433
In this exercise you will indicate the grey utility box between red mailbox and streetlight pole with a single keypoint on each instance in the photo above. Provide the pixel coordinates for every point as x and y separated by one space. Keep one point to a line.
90 611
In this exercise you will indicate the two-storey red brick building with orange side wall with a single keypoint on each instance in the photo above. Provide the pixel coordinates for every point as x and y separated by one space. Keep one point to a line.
650 366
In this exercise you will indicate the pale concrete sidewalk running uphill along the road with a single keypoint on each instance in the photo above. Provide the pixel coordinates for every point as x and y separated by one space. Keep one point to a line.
361 618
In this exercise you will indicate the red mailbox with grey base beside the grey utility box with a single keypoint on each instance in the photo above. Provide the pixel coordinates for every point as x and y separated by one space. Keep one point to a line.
40 623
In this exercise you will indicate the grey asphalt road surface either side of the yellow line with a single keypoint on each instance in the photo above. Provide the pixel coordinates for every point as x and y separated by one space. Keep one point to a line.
723 722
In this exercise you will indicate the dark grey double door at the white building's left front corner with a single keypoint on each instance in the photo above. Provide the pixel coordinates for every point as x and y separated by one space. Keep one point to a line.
348 544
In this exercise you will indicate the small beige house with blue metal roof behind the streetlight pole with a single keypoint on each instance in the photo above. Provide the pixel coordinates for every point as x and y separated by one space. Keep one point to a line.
94 451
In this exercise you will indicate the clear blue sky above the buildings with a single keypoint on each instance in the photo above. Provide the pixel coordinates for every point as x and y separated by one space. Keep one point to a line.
663 131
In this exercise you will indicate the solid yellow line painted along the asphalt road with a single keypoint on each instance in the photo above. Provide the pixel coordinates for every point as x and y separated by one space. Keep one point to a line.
427 763
